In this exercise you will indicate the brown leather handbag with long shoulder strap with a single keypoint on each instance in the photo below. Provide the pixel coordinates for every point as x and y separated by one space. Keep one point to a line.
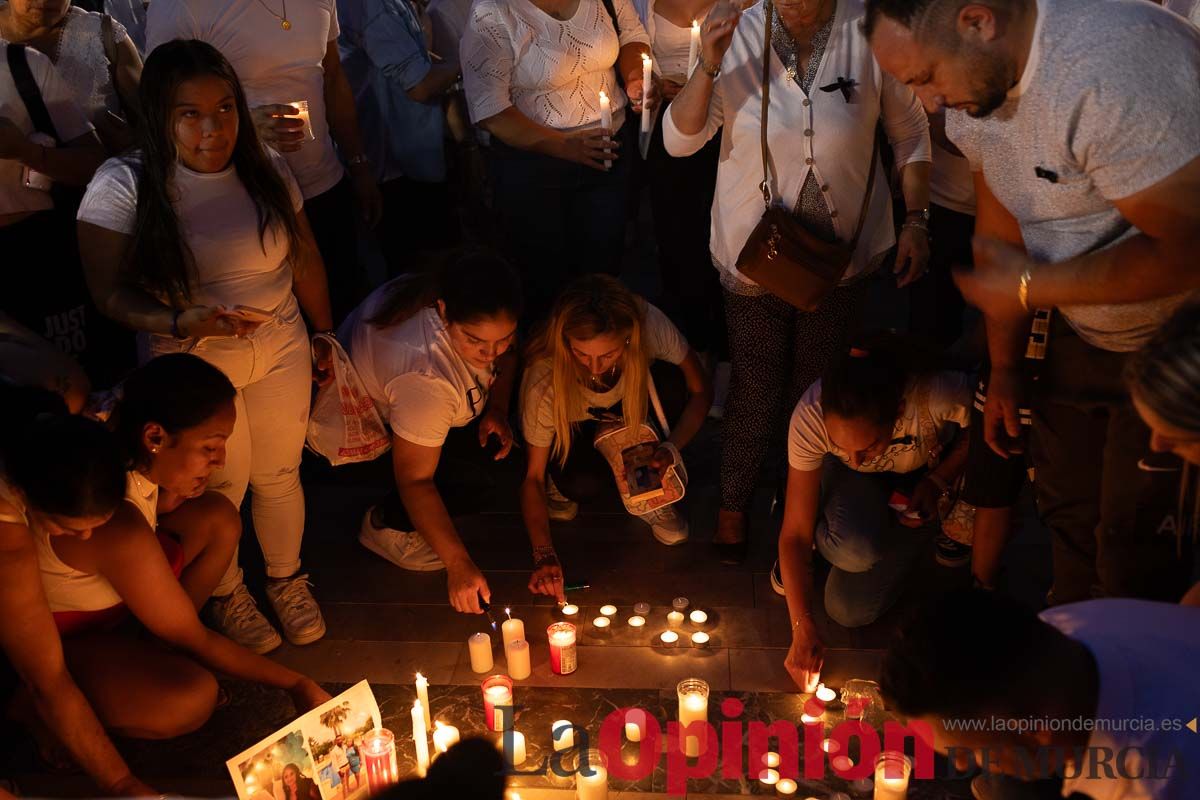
782 255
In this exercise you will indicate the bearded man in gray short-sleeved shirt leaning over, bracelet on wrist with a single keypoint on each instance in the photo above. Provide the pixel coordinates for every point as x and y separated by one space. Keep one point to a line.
1082 124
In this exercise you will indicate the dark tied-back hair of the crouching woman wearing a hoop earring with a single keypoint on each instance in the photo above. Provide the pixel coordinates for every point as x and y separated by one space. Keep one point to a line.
178 392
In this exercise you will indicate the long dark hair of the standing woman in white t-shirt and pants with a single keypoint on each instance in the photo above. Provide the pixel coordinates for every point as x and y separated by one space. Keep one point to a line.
160 260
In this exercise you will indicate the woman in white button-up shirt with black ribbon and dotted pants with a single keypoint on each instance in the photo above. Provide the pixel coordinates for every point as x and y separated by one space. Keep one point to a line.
827 97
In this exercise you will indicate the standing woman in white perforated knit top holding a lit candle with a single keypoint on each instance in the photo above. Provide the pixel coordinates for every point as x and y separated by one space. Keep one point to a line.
535 73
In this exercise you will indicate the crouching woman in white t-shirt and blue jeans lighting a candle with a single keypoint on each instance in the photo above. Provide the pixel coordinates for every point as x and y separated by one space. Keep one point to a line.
878 424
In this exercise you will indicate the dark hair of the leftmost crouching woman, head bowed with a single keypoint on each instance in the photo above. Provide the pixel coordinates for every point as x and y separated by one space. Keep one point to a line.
64 465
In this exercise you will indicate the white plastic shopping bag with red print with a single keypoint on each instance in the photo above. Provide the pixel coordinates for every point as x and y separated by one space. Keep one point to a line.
345 426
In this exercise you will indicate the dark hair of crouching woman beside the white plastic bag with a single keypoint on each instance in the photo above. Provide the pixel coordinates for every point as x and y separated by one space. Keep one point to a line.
473 284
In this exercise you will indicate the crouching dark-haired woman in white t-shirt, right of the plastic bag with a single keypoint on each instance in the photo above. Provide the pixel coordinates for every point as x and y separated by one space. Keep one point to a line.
434 353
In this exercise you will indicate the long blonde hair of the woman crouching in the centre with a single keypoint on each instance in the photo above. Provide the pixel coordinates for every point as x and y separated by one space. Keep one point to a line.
593 306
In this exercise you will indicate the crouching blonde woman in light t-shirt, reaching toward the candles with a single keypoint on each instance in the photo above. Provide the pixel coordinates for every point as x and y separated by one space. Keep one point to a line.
591 366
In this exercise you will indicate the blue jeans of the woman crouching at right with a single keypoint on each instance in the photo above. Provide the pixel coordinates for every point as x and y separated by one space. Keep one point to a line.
860 536
